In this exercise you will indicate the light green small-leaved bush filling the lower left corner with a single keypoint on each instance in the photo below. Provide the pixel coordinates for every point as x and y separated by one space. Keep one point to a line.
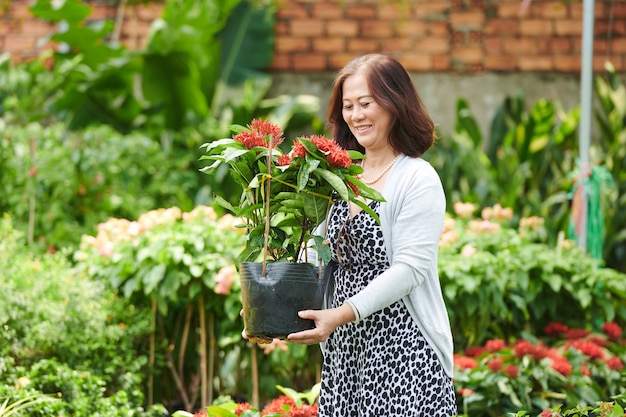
67 338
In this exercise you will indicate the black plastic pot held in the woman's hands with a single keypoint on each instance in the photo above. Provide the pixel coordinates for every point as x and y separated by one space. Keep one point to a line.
271 303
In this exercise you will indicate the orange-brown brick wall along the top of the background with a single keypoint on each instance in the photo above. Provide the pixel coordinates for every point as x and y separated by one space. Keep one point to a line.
462 36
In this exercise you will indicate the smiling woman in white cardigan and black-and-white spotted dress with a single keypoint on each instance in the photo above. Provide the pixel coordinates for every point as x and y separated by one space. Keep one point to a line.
388 345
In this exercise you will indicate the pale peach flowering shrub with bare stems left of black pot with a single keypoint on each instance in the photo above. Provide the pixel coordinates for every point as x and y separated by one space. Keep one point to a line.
181 265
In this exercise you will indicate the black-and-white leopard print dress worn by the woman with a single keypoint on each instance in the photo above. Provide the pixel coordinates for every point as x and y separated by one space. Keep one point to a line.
382 365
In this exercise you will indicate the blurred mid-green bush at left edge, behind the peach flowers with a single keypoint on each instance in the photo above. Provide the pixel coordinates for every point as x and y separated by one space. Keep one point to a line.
59 185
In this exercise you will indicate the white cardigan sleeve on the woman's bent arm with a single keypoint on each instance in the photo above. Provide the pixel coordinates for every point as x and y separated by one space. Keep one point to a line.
412 225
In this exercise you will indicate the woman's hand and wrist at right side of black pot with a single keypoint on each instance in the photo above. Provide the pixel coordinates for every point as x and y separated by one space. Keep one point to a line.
326 321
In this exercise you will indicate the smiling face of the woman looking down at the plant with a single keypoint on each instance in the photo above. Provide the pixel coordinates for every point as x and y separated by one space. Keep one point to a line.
368 121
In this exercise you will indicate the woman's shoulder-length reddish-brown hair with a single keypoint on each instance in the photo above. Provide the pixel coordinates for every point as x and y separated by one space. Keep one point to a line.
412 131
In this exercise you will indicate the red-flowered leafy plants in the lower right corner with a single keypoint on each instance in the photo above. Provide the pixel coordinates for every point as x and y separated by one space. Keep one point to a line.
565 367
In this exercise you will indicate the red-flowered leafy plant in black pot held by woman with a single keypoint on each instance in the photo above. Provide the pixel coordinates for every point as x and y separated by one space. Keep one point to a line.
285 197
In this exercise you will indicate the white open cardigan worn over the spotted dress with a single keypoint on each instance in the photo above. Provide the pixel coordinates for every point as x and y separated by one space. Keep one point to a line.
412 221
